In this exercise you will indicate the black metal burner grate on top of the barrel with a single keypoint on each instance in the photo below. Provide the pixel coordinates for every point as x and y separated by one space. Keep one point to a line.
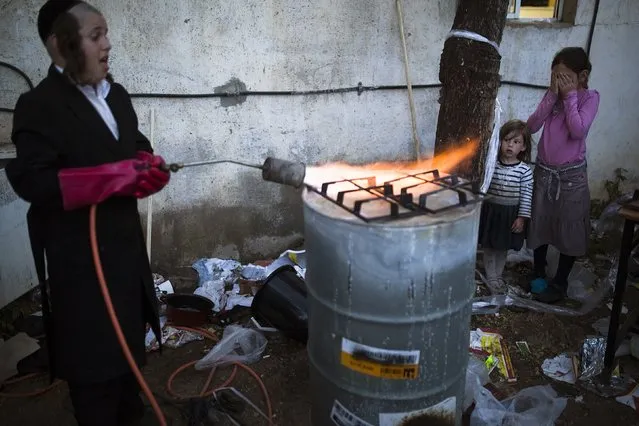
403 199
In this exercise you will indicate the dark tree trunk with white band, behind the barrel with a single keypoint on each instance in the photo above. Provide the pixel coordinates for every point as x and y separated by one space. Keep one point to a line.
469 73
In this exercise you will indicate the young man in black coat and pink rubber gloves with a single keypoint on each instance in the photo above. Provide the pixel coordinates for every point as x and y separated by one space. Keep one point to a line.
78 144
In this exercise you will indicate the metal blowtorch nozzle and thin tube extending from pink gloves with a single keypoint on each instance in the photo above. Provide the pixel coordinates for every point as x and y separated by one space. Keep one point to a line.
273 170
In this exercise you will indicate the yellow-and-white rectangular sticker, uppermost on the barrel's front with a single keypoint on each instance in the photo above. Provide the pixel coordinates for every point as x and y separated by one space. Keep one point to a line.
378 362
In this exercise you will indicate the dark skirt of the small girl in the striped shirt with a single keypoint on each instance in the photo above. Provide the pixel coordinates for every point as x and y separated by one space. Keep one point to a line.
495 226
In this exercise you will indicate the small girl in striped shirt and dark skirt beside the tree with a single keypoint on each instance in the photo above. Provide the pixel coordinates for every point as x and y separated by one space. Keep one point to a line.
507 209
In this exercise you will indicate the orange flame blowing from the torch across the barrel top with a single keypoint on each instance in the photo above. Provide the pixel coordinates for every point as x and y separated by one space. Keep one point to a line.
386 171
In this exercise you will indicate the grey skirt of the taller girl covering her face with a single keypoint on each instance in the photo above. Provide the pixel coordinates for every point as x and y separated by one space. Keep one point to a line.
561 209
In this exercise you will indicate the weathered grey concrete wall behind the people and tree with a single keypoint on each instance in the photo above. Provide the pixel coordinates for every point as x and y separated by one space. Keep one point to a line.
198 46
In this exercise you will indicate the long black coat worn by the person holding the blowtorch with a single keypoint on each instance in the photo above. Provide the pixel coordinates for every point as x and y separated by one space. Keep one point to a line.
56 127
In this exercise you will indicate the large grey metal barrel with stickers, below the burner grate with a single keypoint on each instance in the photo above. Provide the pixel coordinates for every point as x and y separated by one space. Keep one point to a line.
389 315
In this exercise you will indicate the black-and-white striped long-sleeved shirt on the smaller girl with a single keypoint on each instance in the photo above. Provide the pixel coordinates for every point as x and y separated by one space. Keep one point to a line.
512 185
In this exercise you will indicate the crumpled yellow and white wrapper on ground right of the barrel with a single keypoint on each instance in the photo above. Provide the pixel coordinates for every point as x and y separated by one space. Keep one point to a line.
491 345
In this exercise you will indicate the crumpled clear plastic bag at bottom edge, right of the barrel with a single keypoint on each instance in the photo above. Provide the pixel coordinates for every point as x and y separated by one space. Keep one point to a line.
534 406
